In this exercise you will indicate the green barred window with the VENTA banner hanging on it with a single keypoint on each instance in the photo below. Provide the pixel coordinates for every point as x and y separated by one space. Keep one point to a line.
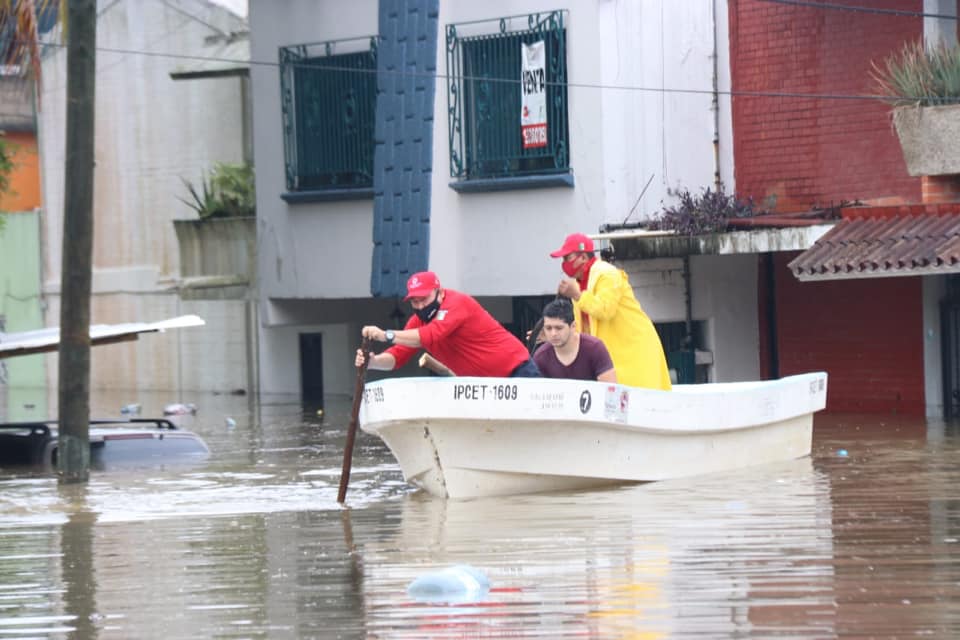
484 97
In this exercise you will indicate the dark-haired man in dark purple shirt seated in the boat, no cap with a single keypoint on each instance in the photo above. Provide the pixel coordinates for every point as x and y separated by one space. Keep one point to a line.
567 353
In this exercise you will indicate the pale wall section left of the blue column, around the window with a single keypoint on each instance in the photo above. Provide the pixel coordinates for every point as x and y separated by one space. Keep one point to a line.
301 245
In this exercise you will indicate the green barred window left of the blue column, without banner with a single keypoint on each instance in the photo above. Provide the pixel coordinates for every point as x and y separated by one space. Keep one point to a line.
328 101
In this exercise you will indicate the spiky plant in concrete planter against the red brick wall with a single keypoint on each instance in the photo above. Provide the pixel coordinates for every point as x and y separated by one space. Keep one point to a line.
923 85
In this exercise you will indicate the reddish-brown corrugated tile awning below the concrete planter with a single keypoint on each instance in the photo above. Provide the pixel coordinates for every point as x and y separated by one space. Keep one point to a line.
883 248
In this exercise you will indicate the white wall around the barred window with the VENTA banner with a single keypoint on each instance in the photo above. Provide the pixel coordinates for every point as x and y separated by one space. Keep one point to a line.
623 129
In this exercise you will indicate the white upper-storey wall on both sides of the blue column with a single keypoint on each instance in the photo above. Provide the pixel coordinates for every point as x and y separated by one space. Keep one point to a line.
480 242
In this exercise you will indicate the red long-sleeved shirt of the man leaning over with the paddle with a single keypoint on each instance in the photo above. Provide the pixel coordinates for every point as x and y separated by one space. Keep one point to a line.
466 338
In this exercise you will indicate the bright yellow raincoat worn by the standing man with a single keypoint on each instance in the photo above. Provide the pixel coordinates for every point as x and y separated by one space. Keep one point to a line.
616 317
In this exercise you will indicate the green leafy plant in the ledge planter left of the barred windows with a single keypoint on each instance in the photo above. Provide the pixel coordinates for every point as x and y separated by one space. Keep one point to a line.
226 193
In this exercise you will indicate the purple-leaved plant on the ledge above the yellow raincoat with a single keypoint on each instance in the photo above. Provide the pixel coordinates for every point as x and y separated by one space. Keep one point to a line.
706 212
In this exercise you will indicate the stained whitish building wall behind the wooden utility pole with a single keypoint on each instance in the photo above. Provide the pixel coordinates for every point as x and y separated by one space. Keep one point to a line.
151 133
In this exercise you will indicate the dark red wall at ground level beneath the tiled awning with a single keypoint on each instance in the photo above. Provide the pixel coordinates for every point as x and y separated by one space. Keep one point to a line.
866 334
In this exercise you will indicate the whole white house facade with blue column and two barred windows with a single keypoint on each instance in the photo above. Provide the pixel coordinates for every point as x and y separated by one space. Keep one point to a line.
388 140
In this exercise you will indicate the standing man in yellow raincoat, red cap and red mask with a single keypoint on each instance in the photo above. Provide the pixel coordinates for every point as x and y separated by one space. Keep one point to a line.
605 307
